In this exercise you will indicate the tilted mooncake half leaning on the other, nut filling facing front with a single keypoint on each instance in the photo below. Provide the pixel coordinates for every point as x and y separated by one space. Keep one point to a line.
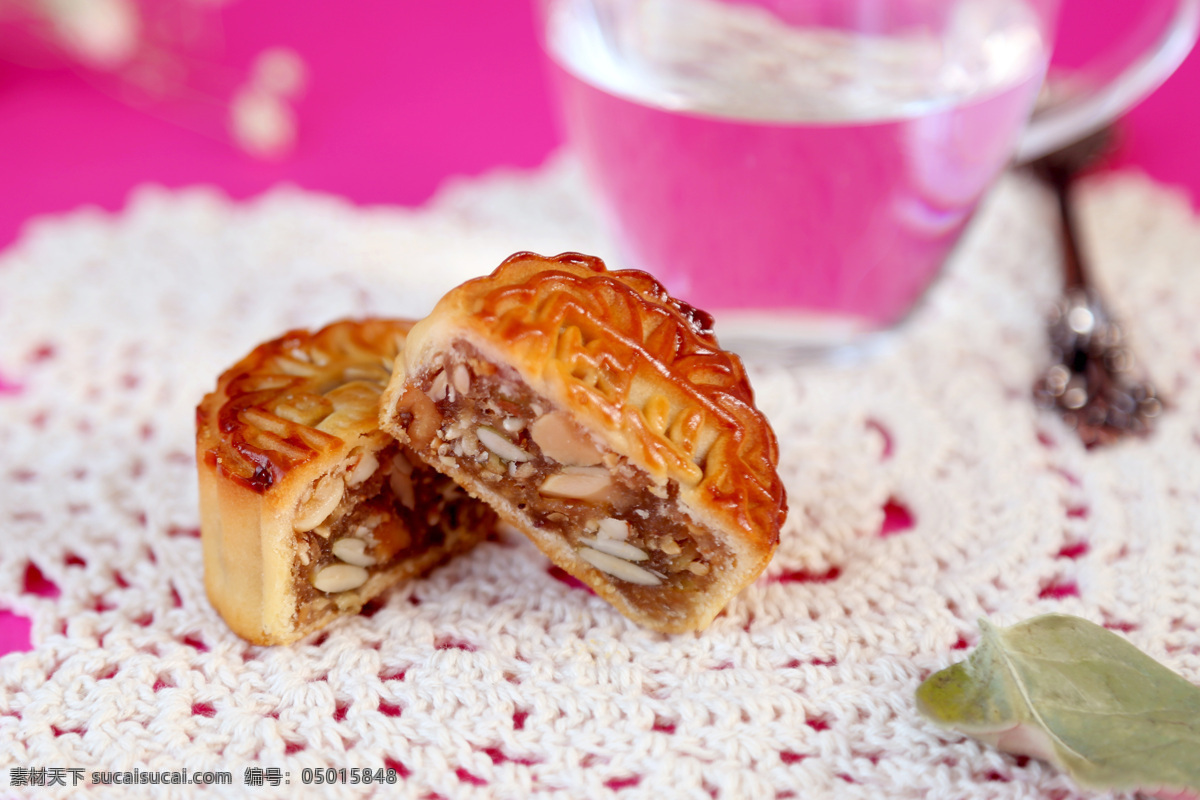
598 416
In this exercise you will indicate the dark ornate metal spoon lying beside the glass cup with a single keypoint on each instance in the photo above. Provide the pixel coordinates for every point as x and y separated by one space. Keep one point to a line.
1090 382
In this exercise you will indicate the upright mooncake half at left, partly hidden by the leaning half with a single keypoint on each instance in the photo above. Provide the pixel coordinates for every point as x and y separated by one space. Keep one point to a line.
308 509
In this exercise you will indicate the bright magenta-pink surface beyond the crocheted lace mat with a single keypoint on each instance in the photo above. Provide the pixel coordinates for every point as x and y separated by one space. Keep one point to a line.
403 94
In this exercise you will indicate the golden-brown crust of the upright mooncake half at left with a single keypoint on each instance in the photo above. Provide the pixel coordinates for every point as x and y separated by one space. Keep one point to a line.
297 411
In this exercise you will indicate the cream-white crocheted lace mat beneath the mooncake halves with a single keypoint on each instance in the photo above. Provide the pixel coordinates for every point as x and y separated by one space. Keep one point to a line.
926 492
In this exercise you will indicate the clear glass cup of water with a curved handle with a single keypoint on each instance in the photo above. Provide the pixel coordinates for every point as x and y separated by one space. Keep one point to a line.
802 169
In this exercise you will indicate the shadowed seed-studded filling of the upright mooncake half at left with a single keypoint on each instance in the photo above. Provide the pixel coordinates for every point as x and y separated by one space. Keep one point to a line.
382 507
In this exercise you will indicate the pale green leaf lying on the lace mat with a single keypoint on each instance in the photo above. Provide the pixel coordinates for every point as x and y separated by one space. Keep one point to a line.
1071 693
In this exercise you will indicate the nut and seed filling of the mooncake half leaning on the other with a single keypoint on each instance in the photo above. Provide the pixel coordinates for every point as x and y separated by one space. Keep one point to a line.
484 420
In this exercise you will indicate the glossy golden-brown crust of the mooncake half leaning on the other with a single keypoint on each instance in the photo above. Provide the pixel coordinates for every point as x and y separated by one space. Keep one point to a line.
638 369
